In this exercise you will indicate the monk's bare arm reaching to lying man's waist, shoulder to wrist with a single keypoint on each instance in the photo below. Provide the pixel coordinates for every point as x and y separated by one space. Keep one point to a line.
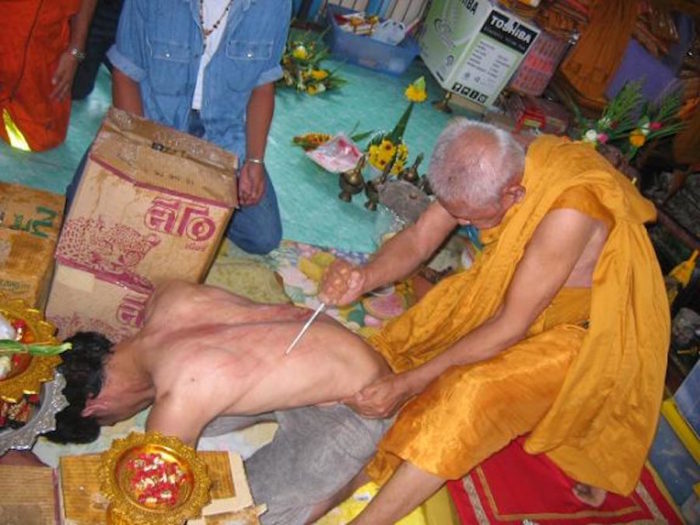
549 259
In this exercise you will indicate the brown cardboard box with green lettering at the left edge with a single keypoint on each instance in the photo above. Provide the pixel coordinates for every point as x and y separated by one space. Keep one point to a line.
29 224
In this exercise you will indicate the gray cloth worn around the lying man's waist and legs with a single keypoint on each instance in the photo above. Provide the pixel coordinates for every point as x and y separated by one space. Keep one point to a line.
315 452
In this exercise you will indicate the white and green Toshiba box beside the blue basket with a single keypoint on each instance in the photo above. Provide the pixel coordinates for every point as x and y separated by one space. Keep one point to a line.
473 47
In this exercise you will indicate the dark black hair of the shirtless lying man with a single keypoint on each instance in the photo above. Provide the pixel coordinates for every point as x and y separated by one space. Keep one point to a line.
82 367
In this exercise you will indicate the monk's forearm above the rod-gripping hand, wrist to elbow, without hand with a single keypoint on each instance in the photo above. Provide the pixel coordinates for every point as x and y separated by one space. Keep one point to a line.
404 252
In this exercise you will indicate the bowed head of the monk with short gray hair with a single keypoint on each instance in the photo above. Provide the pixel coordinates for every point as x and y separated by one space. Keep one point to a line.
475 172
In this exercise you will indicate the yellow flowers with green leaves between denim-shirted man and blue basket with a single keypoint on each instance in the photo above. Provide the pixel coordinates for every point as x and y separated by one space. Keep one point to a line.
302 69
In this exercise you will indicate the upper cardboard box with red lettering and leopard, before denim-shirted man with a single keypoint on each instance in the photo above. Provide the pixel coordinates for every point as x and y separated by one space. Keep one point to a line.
152 202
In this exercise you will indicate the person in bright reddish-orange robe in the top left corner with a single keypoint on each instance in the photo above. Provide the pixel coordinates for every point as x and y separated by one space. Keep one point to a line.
42 43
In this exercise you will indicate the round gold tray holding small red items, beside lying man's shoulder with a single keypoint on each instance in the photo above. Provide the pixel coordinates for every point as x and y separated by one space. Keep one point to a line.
122 463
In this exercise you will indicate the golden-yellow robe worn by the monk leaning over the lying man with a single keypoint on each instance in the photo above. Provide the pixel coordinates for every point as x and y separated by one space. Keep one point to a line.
590 397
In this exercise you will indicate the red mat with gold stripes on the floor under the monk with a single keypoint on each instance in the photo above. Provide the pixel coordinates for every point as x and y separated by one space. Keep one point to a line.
513 486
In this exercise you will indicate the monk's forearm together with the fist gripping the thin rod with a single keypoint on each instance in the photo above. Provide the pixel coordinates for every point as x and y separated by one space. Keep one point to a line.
396 259
